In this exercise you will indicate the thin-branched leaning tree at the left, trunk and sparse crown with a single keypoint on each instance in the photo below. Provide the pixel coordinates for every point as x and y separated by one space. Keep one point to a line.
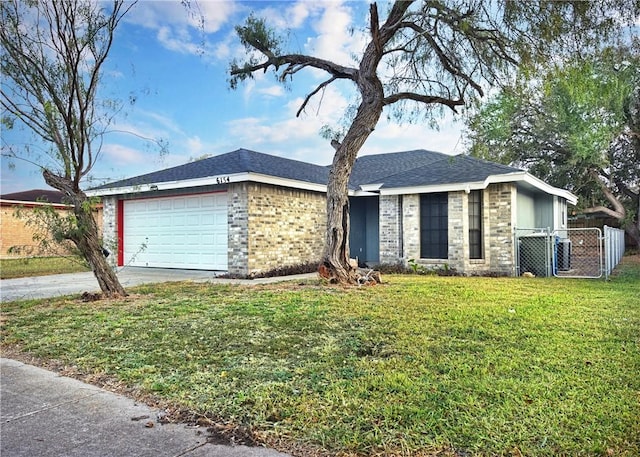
52 57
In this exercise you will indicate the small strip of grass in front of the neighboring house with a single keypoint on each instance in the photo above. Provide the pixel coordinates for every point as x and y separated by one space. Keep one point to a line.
40 266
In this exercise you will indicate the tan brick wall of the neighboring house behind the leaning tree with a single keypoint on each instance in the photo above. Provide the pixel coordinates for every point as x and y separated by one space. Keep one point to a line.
15 232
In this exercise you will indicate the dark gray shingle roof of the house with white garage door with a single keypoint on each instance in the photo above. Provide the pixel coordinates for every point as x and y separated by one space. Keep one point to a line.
398 169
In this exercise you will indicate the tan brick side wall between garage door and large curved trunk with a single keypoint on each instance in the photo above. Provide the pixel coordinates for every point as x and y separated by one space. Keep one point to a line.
285 227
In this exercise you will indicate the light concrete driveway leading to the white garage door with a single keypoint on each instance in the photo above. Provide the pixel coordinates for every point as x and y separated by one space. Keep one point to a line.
77 283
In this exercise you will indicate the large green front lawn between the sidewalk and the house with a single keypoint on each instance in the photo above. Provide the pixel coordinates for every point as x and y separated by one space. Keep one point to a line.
421 365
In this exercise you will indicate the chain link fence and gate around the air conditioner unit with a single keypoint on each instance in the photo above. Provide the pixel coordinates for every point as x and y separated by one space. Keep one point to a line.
567 253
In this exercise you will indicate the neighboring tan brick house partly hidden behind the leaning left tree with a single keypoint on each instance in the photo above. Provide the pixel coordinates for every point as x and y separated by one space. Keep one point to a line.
16 235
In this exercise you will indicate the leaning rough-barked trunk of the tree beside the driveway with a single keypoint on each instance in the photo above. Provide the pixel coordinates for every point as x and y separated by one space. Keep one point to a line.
85 236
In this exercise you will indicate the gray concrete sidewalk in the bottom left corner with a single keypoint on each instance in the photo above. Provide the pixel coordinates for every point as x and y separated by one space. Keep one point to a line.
47 415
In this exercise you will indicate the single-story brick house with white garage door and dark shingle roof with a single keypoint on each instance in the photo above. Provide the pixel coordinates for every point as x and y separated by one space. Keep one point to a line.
246 212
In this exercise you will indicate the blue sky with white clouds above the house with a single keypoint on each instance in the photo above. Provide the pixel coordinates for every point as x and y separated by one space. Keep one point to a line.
178 76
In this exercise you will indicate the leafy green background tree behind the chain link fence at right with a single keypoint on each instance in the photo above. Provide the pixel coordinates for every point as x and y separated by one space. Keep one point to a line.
577 127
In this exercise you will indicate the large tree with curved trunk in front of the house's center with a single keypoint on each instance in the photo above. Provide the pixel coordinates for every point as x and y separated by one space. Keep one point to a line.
423 56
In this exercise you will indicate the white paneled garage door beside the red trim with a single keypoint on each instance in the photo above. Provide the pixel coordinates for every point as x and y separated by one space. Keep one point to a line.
177 232
